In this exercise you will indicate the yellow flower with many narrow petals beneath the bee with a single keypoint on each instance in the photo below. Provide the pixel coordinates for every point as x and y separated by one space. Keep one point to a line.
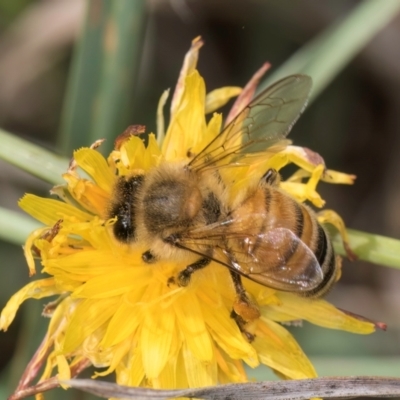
118 312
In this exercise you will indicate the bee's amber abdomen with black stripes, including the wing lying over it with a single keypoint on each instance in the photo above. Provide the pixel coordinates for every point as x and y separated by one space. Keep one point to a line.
282 245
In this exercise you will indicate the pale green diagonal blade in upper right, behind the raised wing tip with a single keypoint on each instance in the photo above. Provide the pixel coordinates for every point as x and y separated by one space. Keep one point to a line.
329 52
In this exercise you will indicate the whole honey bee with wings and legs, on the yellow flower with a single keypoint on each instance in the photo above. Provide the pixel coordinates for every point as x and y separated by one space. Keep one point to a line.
182 212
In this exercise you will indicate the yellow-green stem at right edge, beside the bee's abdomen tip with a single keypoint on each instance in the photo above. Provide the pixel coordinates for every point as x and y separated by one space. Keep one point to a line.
376 249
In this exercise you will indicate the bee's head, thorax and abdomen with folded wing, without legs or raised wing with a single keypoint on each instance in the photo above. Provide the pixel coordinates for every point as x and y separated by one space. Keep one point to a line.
172 206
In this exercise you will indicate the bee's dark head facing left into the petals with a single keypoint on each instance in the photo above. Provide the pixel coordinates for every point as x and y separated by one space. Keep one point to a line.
124 207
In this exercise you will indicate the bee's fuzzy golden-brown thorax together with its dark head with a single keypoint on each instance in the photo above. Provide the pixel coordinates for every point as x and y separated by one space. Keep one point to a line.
169 201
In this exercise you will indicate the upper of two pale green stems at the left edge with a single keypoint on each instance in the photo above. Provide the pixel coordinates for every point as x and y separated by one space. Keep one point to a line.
32 158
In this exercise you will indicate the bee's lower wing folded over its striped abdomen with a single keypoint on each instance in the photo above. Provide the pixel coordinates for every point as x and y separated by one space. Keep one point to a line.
277 258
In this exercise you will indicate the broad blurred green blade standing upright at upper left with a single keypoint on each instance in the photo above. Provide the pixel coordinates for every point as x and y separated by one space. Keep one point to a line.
99 97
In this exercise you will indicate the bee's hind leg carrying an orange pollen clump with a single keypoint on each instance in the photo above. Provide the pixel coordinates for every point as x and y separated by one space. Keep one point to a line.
244 310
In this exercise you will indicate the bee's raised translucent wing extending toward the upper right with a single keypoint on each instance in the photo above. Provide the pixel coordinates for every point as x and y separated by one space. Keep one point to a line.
265 121
